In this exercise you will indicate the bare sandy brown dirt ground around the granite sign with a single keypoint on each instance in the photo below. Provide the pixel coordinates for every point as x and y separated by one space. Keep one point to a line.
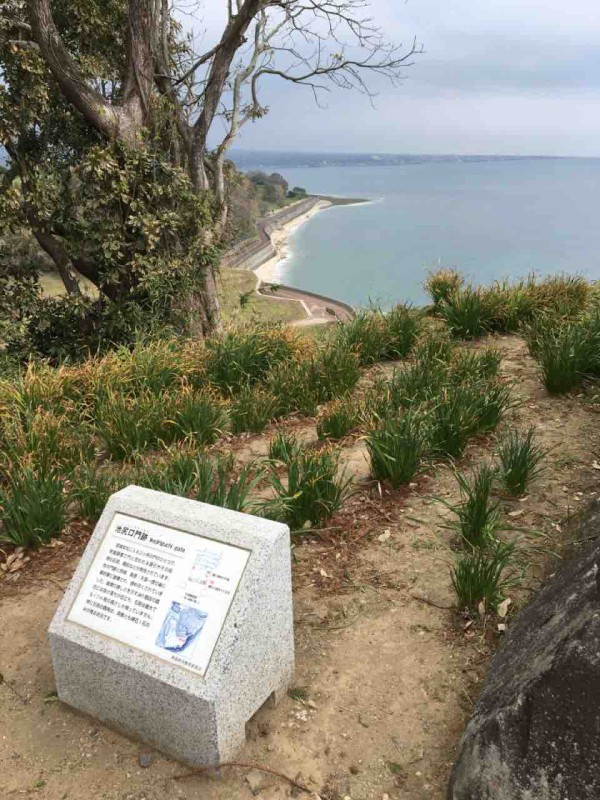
386 671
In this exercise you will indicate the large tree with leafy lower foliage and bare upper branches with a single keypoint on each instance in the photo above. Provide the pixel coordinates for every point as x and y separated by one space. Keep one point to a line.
105 112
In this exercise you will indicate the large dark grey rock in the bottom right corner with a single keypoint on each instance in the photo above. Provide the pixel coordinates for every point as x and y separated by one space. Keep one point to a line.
535 733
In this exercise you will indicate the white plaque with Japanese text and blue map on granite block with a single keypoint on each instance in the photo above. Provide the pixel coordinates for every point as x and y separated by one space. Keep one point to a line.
163 591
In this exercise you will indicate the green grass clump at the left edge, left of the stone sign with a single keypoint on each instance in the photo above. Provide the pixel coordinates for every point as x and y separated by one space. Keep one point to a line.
33 508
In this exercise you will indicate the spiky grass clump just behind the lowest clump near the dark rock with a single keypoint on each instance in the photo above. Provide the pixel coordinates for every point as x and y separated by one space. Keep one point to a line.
477 516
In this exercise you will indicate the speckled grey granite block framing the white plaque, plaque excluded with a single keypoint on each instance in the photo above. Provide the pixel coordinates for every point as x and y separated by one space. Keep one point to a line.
199 719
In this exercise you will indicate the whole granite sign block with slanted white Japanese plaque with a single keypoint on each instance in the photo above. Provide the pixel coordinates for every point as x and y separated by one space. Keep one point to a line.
177 625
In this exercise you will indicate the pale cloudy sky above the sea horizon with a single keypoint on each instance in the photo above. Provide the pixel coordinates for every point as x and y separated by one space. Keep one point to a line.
510 77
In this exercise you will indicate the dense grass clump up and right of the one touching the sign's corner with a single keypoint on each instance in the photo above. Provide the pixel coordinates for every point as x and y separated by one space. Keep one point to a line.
396 448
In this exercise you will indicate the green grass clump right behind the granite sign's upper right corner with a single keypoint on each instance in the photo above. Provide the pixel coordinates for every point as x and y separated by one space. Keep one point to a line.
310 491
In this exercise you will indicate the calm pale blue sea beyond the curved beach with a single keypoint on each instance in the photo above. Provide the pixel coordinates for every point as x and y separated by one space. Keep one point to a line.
491 220
